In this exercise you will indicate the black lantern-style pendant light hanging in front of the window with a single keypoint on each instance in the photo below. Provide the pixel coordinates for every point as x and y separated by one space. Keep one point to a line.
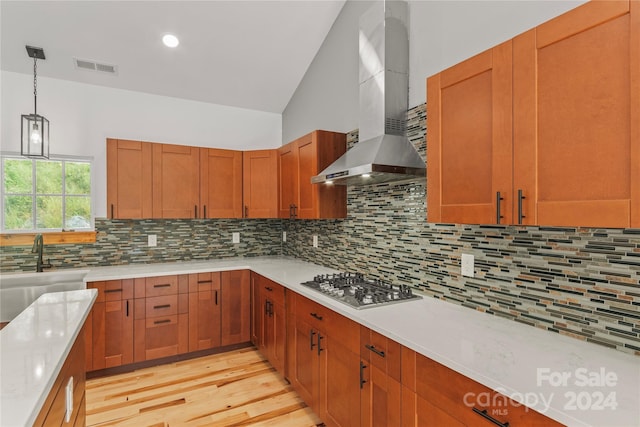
35 128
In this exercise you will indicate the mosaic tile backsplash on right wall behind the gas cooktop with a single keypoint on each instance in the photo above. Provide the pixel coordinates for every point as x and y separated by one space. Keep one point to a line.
580 282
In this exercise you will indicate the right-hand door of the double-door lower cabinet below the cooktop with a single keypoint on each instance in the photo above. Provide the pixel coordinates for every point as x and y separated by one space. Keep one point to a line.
339 382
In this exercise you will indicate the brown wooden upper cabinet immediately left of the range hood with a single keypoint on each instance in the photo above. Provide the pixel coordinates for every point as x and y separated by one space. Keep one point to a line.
298 161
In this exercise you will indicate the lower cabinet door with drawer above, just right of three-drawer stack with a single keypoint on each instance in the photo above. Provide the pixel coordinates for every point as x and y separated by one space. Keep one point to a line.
204 312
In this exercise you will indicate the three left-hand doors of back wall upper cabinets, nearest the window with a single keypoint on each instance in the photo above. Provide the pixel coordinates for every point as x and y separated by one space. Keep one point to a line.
151 180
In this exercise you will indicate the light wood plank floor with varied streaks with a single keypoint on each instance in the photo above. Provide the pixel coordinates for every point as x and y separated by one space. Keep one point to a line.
238 388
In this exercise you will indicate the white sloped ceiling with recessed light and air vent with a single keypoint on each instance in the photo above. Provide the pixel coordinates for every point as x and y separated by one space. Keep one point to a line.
248 54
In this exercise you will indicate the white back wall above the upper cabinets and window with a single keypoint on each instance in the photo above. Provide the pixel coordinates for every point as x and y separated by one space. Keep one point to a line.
82 116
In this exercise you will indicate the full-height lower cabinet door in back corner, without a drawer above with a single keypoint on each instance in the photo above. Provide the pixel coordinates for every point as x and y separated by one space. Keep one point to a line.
236 304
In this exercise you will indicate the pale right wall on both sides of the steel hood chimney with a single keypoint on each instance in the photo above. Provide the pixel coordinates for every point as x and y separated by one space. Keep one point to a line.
442 33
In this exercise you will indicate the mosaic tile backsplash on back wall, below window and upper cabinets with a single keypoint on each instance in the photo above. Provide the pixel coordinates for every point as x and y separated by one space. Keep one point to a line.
125 242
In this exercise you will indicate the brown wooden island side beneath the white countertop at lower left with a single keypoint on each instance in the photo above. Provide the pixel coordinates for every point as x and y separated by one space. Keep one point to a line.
53 412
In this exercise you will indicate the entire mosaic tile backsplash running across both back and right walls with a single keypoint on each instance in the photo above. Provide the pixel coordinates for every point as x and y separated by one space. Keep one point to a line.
580 282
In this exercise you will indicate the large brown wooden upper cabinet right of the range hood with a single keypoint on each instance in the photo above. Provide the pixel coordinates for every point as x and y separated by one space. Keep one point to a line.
543 129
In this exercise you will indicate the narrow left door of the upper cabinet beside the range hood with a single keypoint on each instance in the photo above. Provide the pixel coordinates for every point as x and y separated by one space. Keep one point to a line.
287 179
